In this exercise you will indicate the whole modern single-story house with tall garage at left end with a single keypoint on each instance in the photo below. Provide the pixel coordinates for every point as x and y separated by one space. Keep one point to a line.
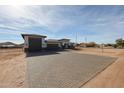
35 42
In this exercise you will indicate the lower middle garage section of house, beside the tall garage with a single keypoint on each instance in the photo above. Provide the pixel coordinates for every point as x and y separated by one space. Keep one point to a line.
53 44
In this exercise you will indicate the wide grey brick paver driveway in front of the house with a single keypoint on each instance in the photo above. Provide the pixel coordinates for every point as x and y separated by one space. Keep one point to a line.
63 69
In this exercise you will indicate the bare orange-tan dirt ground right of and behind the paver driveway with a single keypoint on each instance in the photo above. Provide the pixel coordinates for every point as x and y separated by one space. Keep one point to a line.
111 77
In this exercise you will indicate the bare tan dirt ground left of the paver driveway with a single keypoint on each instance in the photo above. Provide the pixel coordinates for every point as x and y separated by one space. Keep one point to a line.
12 68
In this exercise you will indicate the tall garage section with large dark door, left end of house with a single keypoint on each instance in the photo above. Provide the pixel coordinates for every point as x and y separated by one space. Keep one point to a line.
34 42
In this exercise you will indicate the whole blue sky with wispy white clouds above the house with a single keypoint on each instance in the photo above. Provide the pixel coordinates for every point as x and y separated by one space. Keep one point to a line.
100 24
